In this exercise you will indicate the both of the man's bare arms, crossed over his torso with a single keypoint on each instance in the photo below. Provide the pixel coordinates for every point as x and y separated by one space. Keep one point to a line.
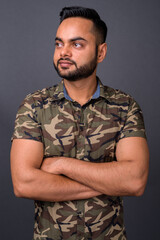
63 179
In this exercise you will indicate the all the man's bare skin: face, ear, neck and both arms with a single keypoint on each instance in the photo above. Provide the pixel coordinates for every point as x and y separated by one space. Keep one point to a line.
42 180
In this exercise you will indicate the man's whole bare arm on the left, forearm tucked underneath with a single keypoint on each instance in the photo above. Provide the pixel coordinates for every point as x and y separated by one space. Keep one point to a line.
30 181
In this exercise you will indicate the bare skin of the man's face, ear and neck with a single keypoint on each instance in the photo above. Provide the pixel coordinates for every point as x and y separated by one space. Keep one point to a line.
81 52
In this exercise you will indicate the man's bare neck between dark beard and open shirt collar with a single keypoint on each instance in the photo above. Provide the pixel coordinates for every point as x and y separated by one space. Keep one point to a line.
81 90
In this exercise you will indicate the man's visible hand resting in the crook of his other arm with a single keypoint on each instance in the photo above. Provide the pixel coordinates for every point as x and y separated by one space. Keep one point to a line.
51 165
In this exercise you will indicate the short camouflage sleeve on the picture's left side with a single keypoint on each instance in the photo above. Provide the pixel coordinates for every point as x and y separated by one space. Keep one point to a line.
26 124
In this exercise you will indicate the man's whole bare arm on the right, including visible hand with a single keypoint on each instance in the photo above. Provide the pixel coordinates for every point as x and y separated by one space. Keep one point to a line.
126 176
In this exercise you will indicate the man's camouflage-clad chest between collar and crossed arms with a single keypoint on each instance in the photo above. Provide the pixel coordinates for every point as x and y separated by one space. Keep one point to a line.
85 133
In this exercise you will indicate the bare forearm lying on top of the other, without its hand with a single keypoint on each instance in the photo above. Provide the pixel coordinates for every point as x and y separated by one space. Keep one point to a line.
113 178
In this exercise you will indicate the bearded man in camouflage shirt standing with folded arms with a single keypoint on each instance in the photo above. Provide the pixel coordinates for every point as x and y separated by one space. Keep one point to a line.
79 146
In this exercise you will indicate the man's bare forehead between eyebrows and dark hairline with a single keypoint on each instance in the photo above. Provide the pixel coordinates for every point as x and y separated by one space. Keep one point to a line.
76 27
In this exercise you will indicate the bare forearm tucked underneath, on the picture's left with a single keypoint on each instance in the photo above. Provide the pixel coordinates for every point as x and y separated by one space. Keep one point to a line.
40 185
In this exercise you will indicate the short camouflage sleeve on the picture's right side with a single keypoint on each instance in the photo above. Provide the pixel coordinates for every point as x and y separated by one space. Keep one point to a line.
133 122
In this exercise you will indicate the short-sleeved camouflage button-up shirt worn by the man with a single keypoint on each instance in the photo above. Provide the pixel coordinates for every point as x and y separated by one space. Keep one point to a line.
88 133
